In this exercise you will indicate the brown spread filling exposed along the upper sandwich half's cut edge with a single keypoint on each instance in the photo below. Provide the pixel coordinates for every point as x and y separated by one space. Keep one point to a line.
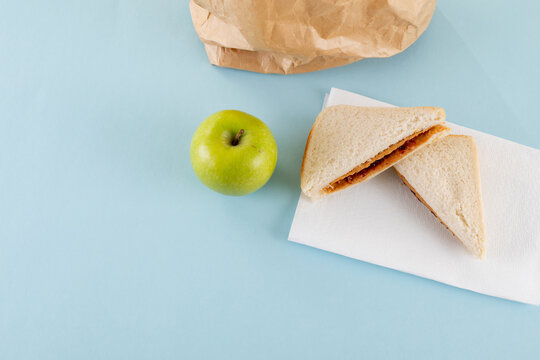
384 159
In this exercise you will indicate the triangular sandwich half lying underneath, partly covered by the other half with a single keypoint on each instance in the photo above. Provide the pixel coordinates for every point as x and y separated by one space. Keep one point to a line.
445 176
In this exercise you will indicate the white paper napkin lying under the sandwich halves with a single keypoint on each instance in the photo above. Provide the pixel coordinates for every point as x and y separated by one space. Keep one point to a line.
381 222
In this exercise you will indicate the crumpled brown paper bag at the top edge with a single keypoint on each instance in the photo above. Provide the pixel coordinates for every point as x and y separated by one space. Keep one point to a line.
286 37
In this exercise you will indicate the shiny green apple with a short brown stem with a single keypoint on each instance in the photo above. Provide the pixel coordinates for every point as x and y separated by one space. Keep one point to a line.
233 153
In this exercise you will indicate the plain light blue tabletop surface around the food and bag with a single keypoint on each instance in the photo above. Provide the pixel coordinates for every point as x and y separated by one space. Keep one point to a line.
110 248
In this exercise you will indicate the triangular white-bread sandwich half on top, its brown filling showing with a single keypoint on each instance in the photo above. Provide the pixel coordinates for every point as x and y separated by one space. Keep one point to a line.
349 144
